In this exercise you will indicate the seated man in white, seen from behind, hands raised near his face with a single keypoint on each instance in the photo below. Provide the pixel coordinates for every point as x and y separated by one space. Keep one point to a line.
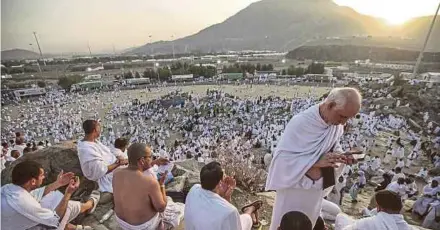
208 205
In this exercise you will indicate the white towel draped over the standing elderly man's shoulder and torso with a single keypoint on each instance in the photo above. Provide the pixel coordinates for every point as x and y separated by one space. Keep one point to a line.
306 138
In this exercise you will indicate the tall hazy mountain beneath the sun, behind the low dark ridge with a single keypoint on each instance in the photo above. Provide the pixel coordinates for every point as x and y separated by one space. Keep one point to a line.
286 24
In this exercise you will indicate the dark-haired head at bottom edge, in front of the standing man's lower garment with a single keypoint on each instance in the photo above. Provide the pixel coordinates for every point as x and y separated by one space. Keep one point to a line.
295 221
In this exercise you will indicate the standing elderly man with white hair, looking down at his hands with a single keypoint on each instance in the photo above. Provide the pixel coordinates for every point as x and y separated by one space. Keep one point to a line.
302 168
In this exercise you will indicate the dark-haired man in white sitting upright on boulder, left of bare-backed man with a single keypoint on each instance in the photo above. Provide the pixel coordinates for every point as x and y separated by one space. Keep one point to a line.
97 161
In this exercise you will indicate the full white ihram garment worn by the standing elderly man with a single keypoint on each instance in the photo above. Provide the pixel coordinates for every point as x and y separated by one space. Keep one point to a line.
306 139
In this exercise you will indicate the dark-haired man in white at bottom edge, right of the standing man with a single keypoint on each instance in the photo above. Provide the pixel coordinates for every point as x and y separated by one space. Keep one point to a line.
388 215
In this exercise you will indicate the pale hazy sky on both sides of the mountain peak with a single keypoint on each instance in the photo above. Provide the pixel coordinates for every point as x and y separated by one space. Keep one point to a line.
69 25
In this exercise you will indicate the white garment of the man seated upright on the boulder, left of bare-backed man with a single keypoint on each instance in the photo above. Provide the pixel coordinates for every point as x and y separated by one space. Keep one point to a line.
95 159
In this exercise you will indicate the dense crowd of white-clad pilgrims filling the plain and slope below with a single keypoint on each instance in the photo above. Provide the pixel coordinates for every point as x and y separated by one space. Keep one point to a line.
195 124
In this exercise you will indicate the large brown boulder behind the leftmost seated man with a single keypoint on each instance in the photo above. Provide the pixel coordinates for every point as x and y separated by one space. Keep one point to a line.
54 159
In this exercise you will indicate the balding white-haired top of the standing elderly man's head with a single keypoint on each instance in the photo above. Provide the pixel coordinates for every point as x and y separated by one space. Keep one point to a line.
344 96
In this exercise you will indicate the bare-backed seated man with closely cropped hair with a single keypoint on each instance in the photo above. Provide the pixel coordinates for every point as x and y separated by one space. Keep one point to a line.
139 197
